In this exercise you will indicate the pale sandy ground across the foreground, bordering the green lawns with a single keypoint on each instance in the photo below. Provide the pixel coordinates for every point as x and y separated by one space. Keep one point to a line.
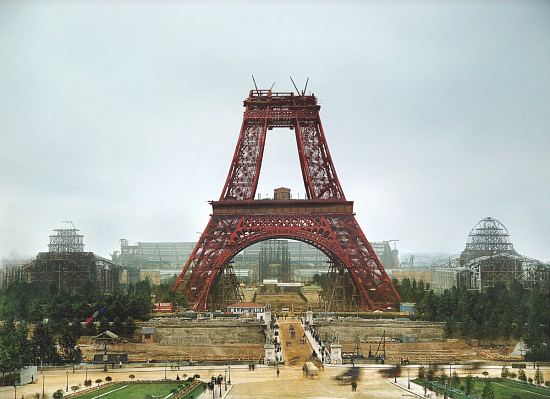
261 383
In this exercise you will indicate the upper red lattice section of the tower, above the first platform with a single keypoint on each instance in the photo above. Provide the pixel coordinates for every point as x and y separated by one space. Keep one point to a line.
265 111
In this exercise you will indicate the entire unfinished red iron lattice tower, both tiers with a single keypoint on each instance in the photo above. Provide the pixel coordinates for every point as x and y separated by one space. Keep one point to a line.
325 219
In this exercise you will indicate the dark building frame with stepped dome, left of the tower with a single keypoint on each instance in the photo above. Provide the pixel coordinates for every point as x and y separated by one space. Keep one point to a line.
68 266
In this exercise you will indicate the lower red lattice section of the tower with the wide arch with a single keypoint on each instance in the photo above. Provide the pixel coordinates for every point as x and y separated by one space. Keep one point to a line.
337 234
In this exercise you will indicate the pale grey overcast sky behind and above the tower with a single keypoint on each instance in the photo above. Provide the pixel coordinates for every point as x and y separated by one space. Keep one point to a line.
123 116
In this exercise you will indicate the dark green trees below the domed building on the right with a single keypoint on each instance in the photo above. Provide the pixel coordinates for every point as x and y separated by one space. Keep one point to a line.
501 311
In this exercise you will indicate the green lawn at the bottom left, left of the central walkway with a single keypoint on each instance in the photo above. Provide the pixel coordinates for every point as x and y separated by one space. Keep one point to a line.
132 391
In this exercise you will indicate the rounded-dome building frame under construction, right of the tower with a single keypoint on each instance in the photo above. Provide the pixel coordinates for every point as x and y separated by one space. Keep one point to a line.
489 259
